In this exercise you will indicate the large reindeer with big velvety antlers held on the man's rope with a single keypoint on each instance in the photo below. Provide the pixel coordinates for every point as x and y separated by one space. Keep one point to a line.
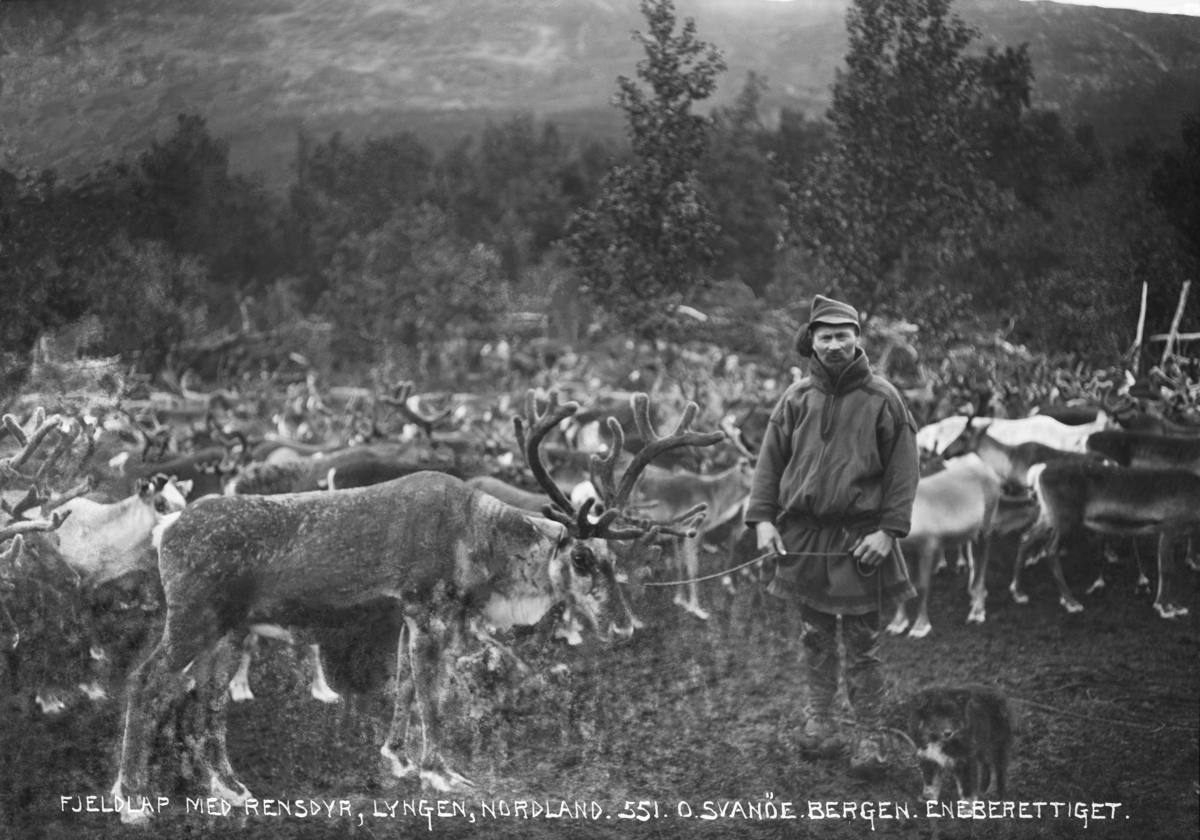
429 554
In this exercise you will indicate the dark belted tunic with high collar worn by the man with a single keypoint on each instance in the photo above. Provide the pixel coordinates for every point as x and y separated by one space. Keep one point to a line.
839 461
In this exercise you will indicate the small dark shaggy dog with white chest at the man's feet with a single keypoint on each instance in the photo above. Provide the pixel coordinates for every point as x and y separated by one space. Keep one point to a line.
962 734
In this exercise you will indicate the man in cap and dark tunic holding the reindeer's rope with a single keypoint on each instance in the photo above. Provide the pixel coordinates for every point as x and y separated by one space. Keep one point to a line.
833 495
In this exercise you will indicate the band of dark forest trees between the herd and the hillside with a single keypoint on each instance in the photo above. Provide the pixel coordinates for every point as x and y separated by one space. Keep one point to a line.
932 195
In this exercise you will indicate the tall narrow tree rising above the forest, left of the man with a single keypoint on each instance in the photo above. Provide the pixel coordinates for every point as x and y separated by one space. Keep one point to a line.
650 239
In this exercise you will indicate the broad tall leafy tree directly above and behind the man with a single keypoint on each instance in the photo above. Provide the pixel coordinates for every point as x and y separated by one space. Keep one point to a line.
904 188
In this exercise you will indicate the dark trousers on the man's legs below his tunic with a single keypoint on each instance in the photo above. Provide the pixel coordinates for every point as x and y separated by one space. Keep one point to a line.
865 667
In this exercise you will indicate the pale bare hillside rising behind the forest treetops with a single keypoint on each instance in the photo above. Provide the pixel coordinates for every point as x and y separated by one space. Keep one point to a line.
83 83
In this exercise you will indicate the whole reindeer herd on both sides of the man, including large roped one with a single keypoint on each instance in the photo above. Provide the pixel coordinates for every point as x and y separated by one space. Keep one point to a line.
422 560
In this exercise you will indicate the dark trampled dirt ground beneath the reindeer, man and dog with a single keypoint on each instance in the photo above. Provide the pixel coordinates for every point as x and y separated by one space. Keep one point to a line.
695 718
